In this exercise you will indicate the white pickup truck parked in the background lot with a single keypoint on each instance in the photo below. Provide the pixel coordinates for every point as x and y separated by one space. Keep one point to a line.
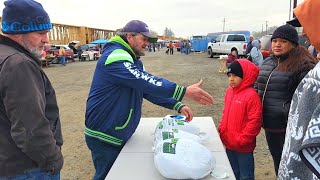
224 43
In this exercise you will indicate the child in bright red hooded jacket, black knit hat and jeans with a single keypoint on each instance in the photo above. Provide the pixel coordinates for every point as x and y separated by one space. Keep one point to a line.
241 118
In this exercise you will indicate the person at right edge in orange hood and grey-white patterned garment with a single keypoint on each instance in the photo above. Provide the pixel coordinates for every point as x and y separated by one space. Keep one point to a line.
300 155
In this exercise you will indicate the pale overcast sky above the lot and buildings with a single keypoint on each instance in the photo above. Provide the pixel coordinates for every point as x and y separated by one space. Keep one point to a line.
184 17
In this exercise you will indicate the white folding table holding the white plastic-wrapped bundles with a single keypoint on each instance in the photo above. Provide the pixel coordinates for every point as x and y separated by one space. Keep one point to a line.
136 158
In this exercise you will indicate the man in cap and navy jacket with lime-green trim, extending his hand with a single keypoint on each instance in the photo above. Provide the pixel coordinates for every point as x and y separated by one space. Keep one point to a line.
118 87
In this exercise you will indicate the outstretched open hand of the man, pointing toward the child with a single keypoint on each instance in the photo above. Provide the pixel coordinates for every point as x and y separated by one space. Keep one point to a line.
195 93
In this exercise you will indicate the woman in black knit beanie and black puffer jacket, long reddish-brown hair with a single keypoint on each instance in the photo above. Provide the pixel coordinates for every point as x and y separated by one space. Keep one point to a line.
278 78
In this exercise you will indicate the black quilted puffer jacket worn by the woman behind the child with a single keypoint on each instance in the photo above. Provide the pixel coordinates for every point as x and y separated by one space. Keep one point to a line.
275 89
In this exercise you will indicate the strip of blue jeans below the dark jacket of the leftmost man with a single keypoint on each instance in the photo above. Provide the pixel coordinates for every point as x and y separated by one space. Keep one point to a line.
34 174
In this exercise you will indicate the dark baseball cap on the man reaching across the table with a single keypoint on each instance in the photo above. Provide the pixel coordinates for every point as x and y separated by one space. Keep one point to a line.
139 27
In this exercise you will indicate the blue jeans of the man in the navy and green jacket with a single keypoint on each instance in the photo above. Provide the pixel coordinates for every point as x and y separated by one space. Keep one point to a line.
103 156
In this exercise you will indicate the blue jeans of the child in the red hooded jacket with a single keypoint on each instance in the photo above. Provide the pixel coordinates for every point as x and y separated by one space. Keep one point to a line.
242 164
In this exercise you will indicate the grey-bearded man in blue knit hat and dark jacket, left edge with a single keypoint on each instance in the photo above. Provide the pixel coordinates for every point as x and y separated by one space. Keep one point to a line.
30 131
